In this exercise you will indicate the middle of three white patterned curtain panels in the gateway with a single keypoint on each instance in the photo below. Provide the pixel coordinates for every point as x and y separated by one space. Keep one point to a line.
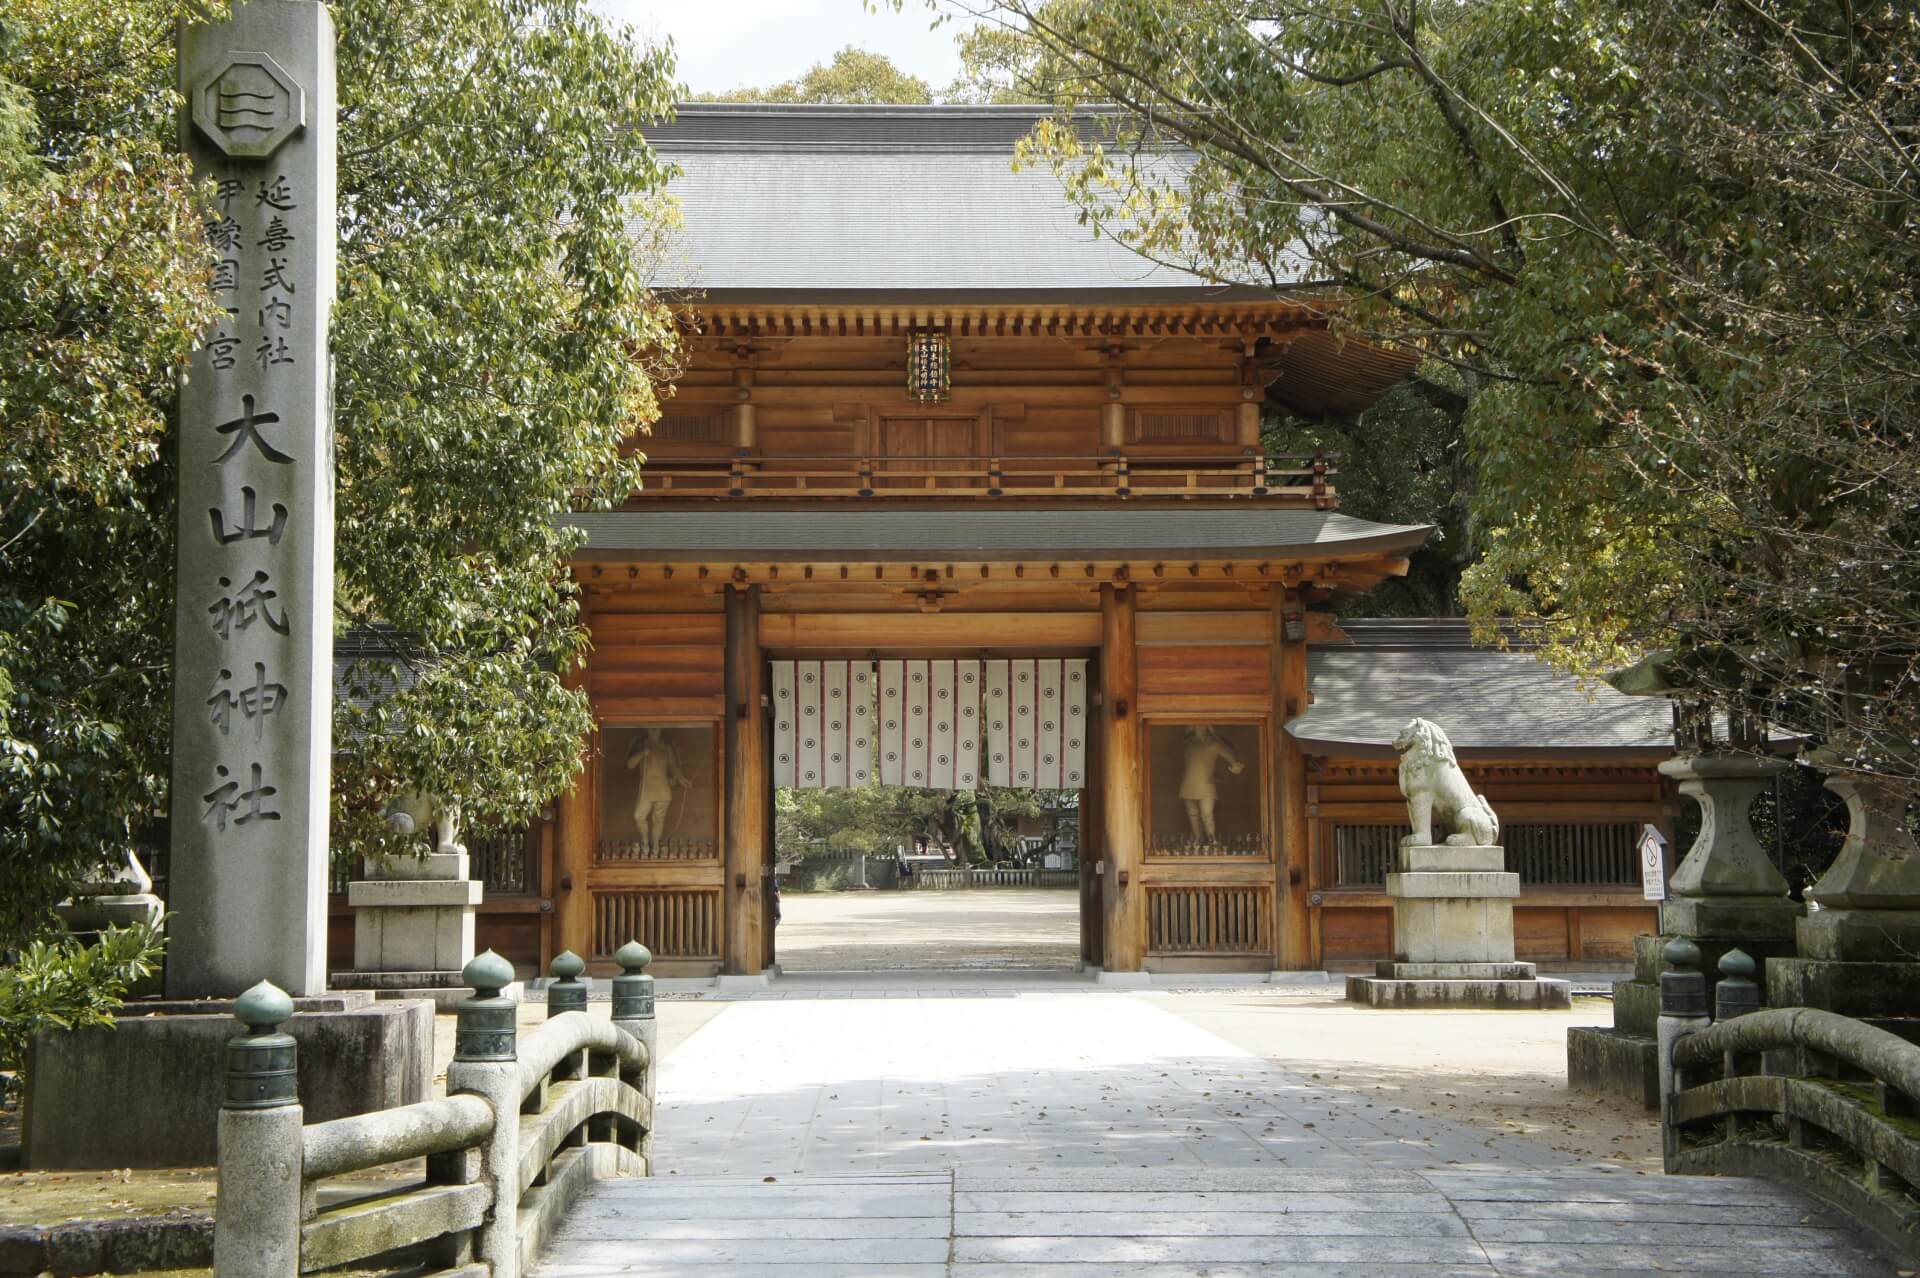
928 730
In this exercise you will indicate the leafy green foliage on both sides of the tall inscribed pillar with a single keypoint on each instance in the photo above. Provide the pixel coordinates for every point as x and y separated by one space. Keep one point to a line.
494 348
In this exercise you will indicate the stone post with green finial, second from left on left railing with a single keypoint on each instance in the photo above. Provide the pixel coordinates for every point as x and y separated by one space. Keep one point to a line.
487 1064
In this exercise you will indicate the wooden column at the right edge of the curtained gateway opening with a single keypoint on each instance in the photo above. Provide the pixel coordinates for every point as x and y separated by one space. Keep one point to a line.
1122 782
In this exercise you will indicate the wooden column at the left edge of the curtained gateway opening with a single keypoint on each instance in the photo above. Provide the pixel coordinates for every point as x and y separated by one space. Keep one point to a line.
746 784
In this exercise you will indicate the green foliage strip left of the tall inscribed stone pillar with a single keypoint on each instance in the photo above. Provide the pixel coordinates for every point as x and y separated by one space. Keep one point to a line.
103 293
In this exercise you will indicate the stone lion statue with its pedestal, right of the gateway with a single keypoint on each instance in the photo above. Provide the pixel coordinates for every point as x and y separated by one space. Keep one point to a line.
1452 901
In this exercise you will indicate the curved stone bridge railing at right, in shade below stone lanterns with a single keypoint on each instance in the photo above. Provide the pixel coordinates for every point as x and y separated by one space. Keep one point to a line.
1792 1095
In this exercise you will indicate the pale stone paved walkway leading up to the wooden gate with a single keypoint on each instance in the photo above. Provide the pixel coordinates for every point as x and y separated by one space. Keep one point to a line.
1067 1135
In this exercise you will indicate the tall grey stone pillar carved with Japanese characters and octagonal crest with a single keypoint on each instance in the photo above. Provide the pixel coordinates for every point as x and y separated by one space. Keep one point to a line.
252 705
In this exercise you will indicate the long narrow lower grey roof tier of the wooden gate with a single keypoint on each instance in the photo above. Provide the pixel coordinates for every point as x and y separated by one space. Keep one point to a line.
986 534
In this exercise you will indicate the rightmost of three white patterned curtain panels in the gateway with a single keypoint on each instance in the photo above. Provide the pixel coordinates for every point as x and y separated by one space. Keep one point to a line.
1038 724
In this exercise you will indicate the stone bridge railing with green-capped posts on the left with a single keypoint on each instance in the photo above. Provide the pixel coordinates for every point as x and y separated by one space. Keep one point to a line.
523 1127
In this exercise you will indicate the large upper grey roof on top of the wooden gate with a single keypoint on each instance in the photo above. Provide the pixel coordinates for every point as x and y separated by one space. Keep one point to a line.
802 199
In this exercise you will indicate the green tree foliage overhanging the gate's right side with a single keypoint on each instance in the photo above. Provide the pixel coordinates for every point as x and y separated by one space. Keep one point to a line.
1666 250
